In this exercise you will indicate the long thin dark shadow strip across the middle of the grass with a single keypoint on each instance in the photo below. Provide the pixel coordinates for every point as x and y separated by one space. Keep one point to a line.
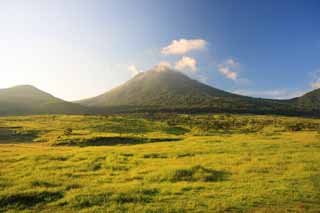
111 141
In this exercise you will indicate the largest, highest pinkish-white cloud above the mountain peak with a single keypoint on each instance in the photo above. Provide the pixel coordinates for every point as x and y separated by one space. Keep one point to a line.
183 46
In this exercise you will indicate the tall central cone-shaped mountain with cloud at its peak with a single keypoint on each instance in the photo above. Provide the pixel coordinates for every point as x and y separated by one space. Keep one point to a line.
169 90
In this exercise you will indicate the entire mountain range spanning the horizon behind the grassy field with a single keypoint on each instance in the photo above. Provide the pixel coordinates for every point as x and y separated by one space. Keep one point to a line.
155 90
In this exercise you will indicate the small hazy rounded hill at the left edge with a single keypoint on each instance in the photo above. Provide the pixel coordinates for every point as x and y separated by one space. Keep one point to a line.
27 99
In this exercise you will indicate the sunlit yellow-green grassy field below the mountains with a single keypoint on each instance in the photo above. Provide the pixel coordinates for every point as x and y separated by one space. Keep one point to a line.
159 163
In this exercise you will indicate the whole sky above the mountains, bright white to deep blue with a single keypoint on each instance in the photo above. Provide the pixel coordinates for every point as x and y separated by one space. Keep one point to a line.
76 49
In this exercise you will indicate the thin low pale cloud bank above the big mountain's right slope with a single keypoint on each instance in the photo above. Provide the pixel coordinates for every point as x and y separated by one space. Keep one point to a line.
274 94
